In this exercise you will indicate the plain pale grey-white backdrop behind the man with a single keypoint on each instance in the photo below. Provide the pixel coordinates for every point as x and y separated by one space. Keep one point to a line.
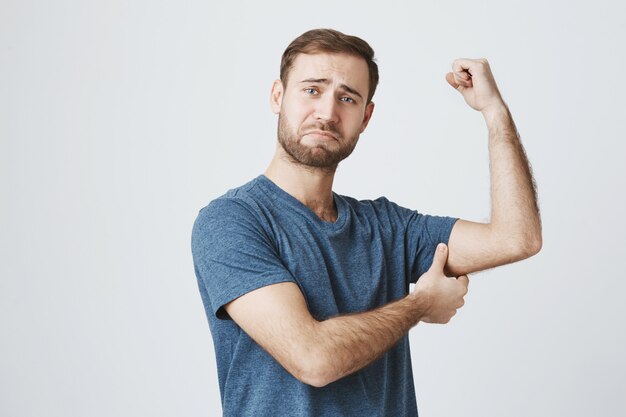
119 120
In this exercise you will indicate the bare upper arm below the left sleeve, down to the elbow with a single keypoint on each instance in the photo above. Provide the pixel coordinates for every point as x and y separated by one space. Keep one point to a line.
277 318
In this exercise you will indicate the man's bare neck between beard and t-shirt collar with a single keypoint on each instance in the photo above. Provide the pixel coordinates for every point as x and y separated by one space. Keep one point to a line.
309 185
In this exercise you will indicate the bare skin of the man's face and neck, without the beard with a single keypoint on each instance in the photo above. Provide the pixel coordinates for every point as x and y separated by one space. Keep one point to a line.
304 111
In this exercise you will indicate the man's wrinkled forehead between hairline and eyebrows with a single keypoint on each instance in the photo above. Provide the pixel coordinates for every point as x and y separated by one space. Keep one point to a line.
348 69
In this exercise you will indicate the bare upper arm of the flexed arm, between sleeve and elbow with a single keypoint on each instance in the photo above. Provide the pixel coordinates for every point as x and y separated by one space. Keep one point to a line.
475 247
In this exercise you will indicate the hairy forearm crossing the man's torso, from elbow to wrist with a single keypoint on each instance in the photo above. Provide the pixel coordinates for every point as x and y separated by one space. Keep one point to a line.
348 343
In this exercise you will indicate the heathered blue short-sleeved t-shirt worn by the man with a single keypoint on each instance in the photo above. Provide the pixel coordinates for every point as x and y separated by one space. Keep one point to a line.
257 235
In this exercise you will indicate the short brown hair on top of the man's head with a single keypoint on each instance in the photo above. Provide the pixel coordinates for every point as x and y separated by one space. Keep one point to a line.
333 41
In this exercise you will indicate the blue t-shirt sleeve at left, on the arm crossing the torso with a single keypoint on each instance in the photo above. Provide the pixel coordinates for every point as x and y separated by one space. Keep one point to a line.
233 254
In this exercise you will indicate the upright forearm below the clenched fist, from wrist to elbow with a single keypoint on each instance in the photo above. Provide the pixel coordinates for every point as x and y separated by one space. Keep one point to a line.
515 215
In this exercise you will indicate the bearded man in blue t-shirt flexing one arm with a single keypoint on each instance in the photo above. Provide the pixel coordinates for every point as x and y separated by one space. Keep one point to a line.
306 291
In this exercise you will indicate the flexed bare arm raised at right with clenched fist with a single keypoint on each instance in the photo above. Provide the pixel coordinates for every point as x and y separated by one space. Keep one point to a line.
514 230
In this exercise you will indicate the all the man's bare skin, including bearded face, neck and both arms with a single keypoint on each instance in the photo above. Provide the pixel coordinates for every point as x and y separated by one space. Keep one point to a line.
319 124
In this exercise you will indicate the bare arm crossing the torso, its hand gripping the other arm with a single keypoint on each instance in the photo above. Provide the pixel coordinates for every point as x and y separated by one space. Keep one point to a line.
320 352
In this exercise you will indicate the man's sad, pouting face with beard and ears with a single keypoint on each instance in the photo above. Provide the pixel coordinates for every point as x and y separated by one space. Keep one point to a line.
322 110
